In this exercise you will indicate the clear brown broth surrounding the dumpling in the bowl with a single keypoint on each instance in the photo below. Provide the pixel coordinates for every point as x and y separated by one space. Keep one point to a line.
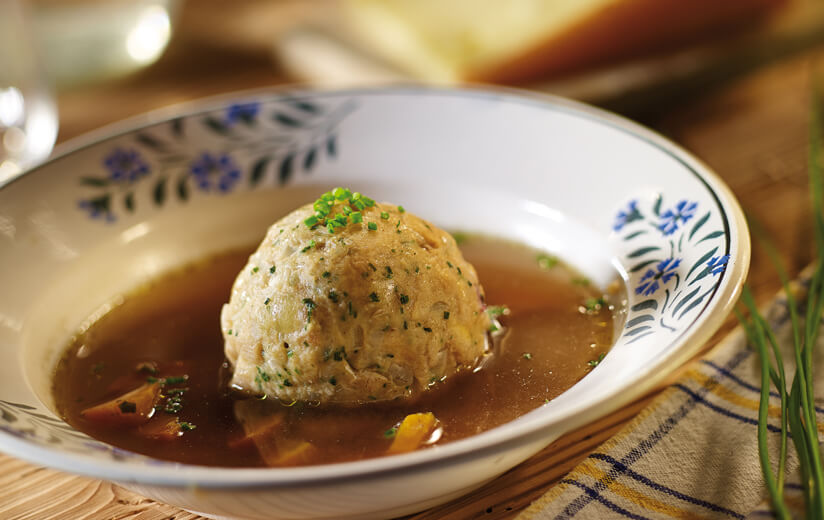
549 342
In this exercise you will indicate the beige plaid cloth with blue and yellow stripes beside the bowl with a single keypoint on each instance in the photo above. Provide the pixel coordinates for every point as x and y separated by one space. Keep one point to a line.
693 452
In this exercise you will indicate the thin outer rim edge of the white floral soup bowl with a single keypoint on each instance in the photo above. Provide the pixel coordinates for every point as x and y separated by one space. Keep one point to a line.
500 439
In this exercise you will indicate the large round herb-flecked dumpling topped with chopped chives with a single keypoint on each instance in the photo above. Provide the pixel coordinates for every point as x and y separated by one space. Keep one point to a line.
349 301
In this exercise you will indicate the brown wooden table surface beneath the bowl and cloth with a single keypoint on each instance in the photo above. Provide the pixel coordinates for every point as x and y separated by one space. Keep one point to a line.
752 131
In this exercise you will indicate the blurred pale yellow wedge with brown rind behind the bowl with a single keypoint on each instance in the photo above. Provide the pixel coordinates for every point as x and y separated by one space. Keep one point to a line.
511 41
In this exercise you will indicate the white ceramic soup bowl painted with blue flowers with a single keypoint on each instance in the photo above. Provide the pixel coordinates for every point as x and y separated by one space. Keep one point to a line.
130 202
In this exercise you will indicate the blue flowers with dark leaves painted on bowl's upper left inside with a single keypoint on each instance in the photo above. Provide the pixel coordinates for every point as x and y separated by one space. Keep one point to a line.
291 136
